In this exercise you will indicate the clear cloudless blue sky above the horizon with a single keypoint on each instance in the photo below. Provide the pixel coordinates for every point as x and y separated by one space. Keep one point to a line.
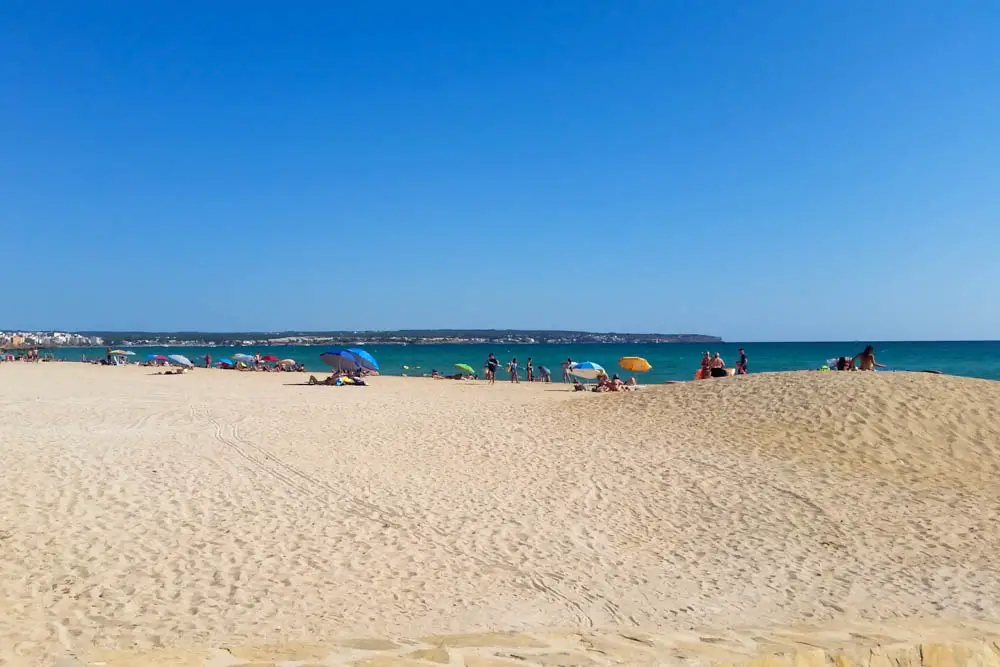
773 170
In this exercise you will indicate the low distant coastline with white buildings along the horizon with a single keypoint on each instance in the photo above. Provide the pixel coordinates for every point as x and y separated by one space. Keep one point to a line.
42 339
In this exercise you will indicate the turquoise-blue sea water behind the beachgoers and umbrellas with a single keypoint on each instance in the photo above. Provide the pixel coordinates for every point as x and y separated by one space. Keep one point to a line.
670 361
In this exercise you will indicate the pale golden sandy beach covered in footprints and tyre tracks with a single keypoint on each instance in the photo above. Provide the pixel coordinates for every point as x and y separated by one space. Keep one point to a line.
139 510
